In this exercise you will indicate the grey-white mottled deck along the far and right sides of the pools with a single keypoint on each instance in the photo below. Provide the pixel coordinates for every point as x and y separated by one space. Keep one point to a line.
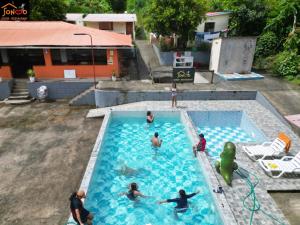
270 125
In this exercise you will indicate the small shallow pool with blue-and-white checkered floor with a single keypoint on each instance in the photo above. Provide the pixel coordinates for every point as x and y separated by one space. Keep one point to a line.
219 127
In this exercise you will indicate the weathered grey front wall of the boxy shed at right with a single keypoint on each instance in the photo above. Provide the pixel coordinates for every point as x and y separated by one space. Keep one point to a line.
236 55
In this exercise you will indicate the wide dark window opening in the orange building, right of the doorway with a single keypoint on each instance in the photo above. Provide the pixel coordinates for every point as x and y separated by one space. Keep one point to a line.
78 56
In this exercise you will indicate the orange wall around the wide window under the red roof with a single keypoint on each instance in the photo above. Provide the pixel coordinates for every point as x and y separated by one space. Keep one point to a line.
50 71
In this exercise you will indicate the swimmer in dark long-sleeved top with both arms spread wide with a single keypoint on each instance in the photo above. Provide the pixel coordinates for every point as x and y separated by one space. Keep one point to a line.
182 203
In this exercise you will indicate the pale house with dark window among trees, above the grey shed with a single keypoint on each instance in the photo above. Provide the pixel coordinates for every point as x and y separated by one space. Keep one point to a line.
214 22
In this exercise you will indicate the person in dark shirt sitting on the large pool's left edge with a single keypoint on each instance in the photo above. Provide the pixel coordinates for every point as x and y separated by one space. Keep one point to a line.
79 213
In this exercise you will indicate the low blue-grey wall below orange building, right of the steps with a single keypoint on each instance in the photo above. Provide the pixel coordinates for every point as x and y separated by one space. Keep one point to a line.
60 89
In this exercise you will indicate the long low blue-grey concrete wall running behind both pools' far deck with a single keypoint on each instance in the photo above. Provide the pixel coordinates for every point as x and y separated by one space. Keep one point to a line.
106 98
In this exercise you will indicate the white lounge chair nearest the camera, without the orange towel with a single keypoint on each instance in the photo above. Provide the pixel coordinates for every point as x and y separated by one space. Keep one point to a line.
287 164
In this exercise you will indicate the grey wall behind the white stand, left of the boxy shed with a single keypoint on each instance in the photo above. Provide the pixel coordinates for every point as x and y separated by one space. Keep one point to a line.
166 58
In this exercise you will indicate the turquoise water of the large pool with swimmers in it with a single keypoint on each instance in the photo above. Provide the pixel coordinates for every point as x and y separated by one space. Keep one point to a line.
159 173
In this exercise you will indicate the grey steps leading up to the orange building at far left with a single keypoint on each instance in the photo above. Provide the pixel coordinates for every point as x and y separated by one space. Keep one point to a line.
19 94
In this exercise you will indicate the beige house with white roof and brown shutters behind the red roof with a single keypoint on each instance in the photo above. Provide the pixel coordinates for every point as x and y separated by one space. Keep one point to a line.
119 23
